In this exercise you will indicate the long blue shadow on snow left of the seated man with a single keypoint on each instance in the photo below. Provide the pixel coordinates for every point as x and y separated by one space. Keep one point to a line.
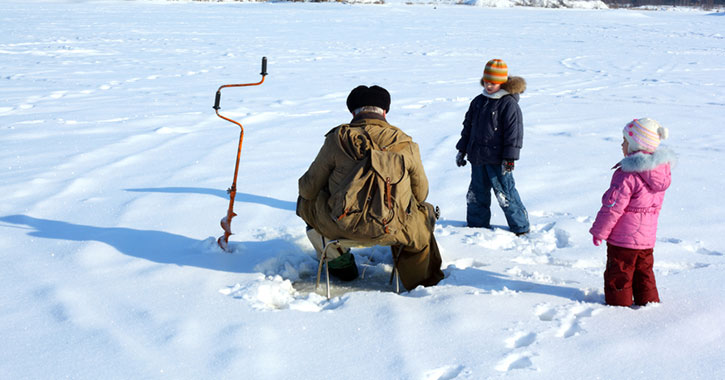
159 246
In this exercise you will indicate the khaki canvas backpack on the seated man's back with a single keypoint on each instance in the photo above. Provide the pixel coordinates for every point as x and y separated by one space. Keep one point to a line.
375 198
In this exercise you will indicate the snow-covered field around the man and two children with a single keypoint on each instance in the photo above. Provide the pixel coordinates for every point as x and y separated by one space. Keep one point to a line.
114 170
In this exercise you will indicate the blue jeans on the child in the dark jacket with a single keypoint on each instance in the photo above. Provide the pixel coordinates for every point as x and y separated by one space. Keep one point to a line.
484 178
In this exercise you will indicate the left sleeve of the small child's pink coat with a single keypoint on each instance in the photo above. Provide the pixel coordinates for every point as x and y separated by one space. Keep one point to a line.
614 201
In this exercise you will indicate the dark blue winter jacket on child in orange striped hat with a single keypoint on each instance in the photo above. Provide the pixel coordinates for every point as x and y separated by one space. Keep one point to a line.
493 130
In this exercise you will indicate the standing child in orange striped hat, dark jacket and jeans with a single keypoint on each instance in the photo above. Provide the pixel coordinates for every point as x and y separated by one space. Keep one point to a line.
492 137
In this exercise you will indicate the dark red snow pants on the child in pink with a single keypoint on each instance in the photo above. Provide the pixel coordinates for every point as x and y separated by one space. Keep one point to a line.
629 274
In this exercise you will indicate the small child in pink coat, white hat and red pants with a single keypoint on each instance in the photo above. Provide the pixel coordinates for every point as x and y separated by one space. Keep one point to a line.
627 219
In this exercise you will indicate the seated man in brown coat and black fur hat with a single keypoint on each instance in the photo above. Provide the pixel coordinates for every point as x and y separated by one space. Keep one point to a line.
419 262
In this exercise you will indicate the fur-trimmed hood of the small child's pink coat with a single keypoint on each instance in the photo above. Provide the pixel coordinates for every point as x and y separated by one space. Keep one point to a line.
654 169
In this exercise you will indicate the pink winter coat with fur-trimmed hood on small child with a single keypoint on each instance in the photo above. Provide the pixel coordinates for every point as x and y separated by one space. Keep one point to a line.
628 217
